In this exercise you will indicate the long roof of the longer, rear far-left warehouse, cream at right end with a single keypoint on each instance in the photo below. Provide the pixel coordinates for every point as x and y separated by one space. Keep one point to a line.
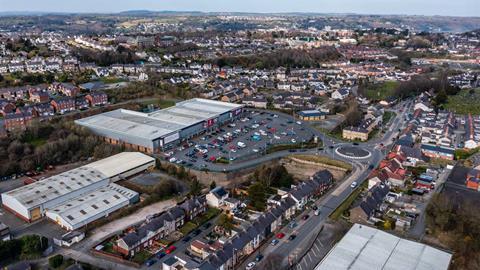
79 178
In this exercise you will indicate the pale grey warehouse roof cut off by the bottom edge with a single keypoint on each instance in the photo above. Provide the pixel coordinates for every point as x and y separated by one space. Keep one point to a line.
366 248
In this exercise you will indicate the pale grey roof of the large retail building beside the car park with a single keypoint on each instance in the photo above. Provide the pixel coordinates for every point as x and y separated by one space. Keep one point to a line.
159 123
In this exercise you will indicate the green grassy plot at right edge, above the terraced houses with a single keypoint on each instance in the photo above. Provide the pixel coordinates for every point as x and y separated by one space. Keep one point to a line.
464 102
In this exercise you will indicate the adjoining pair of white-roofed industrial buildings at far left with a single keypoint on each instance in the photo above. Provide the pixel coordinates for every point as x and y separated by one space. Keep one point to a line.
74 192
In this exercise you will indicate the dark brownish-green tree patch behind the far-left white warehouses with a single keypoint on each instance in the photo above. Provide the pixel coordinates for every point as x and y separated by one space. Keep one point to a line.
50 143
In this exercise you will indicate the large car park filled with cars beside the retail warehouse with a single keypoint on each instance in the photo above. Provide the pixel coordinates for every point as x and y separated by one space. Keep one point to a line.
246 138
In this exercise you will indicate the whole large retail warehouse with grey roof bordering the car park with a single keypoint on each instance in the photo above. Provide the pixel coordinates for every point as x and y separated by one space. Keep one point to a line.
162 129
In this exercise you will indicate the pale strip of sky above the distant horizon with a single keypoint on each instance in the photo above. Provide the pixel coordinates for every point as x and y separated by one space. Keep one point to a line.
410 7
